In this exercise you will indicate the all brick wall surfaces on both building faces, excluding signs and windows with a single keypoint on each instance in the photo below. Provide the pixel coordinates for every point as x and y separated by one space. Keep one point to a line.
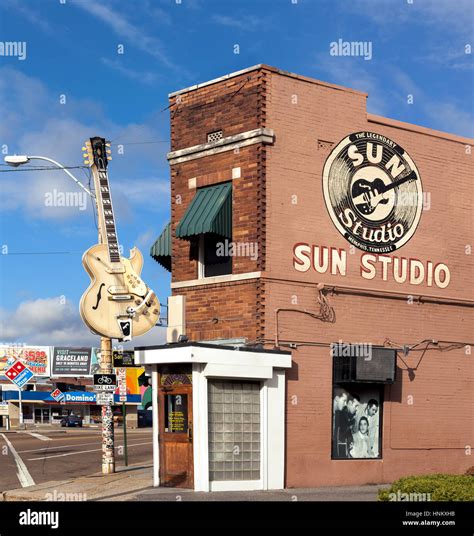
429 435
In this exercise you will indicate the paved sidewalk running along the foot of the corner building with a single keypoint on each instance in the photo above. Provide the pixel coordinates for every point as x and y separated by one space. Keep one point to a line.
134 483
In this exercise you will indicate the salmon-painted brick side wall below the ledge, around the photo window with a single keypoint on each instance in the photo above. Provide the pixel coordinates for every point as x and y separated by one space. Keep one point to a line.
425 433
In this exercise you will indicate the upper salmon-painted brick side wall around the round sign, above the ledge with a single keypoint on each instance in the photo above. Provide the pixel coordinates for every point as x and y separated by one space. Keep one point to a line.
295 166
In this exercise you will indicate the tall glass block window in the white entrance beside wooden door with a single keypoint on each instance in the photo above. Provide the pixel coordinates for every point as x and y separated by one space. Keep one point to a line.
234 430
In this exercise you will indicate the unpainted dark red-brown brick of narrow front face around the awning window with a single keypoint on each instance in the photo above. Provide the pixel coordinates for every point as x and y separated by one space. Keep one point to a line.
236 105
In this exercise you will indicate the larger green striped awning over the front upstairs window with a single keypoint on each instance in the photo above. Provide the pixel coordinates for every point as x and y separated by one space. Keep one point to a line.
209 212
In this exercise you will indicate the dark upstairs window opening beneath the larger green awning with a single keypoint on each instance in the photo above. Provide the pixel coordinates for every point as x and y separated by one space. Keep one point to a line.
213 256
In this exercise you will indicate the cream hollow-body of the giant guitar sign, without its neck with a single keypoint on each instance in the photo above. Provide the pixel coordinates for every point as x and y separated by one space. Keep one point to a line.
114 288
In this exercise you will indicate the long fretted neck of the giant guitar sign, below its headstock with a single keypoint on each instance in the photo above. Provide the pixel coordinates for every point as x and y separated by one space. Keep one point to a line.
105 210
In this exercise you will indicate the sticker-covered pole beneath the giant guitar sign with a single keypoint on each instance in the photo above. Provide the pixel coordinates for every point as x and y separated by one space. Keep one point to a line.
108 447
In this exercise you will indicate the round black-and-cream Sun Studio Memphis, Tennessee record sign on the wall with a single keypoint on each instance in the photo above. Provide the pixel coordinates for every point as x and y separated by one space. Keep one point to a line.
373 192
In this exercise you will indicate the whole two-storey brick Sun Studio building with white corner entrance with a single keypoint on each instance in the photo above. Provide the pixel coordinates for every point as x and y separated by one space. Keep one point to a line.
298 221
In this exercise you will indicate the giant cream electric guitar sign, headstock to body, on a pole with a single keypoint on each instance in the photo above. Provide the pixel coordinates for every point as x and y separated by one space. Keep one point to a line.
117 304
